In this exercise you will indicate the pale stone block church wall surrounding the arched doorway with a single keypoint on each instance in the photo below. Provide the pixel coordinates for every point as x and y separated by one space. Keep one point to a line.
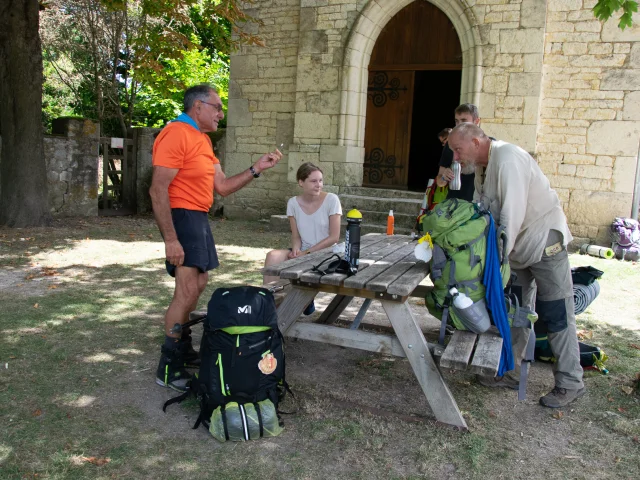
544 73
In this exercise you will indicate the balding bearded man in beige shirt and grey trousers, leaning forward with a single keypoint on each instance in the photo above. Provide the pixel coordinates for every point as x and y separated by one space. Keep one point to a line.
521 200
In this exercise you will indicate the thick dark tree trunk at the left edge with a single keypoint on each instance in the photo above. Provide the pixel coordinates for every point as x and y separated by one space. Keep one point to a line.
23 176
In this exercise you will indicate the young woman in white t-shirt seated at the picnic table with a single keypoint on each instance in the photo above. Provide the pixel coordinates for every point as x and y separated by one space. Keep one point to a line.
314 217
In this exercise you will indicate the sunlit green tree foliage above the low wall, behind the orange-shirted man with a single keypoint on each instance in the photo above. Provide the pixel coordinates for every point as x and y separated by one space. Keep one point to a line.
130 60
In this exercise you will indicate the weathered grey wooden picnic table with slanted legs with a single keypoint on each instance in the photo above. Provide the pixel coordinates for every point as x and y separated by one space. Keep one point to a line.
389 273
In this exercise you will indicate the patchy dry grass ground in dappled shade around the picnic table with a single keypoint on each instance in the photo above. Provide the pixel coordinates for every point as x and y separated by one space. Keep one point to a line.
81 323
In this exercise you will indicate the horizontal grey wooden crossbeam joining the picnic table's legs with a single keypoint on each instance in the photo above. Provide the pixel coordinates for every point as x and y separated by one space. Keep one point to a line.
343 337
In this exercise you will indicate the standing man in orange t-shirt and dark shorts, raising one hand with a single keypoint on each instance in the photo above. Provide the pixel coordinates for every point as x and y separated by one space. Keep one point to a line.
185 170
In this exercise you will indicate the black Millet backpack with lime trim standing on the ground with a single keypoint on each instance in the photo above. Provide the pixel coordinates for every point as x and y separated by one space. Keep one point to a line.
241 378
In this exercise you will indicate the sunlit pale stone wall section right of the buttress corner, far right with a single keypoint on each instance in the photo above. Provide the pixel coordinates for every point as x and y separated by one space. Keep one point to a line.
589 127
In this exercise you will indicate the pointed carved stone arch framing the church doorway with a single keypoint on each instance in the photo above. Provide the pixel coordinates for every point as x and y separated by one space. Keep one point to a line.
374 17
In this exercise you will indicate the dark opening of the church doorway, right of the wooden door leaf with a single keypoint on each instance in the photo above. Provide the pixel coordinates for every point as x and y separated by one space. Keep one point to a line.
436 96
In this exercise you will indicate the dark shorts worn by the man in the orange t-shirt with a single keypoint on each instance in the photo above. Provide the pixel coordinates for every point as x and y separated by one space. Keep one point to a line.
194 234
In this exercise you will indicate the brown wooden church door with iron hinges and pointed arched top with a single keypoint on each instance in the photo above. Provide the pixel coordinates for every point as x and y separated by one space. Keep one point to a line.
420 37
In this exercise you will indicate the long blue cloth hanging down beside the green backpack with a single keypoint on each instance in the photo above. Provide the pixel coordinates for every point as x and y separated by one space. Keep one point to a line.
495 298
